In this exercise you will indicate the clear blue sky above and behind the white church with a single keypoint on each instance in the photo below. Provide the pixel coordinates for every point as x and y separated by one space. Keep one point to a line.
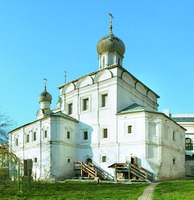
43 38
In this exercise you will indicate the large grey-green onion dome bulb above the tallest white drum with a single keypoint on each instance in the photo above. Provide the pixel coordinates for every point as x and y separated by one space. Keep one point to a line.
111 43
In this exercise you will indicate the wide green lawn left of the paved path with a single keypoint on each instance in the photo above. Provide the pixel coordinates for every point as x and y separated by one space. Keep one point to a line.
72 190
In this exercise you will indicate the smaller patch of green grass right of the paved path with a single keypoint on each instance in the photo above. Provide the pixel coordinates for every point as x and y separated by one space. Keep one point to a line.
175 190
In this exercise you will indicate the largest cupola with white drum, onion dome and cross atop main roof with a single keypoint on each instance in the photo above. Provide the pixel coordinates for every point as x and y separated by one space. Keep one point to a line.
110 49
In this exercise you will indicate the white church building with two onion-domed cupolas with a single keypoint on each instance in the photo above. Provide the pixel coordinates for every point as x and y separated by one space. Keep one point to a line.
106 117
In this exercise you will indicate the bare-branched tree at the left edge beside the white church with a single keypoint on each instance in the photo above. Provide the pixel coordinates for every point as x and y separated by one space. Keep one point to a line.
5 124
